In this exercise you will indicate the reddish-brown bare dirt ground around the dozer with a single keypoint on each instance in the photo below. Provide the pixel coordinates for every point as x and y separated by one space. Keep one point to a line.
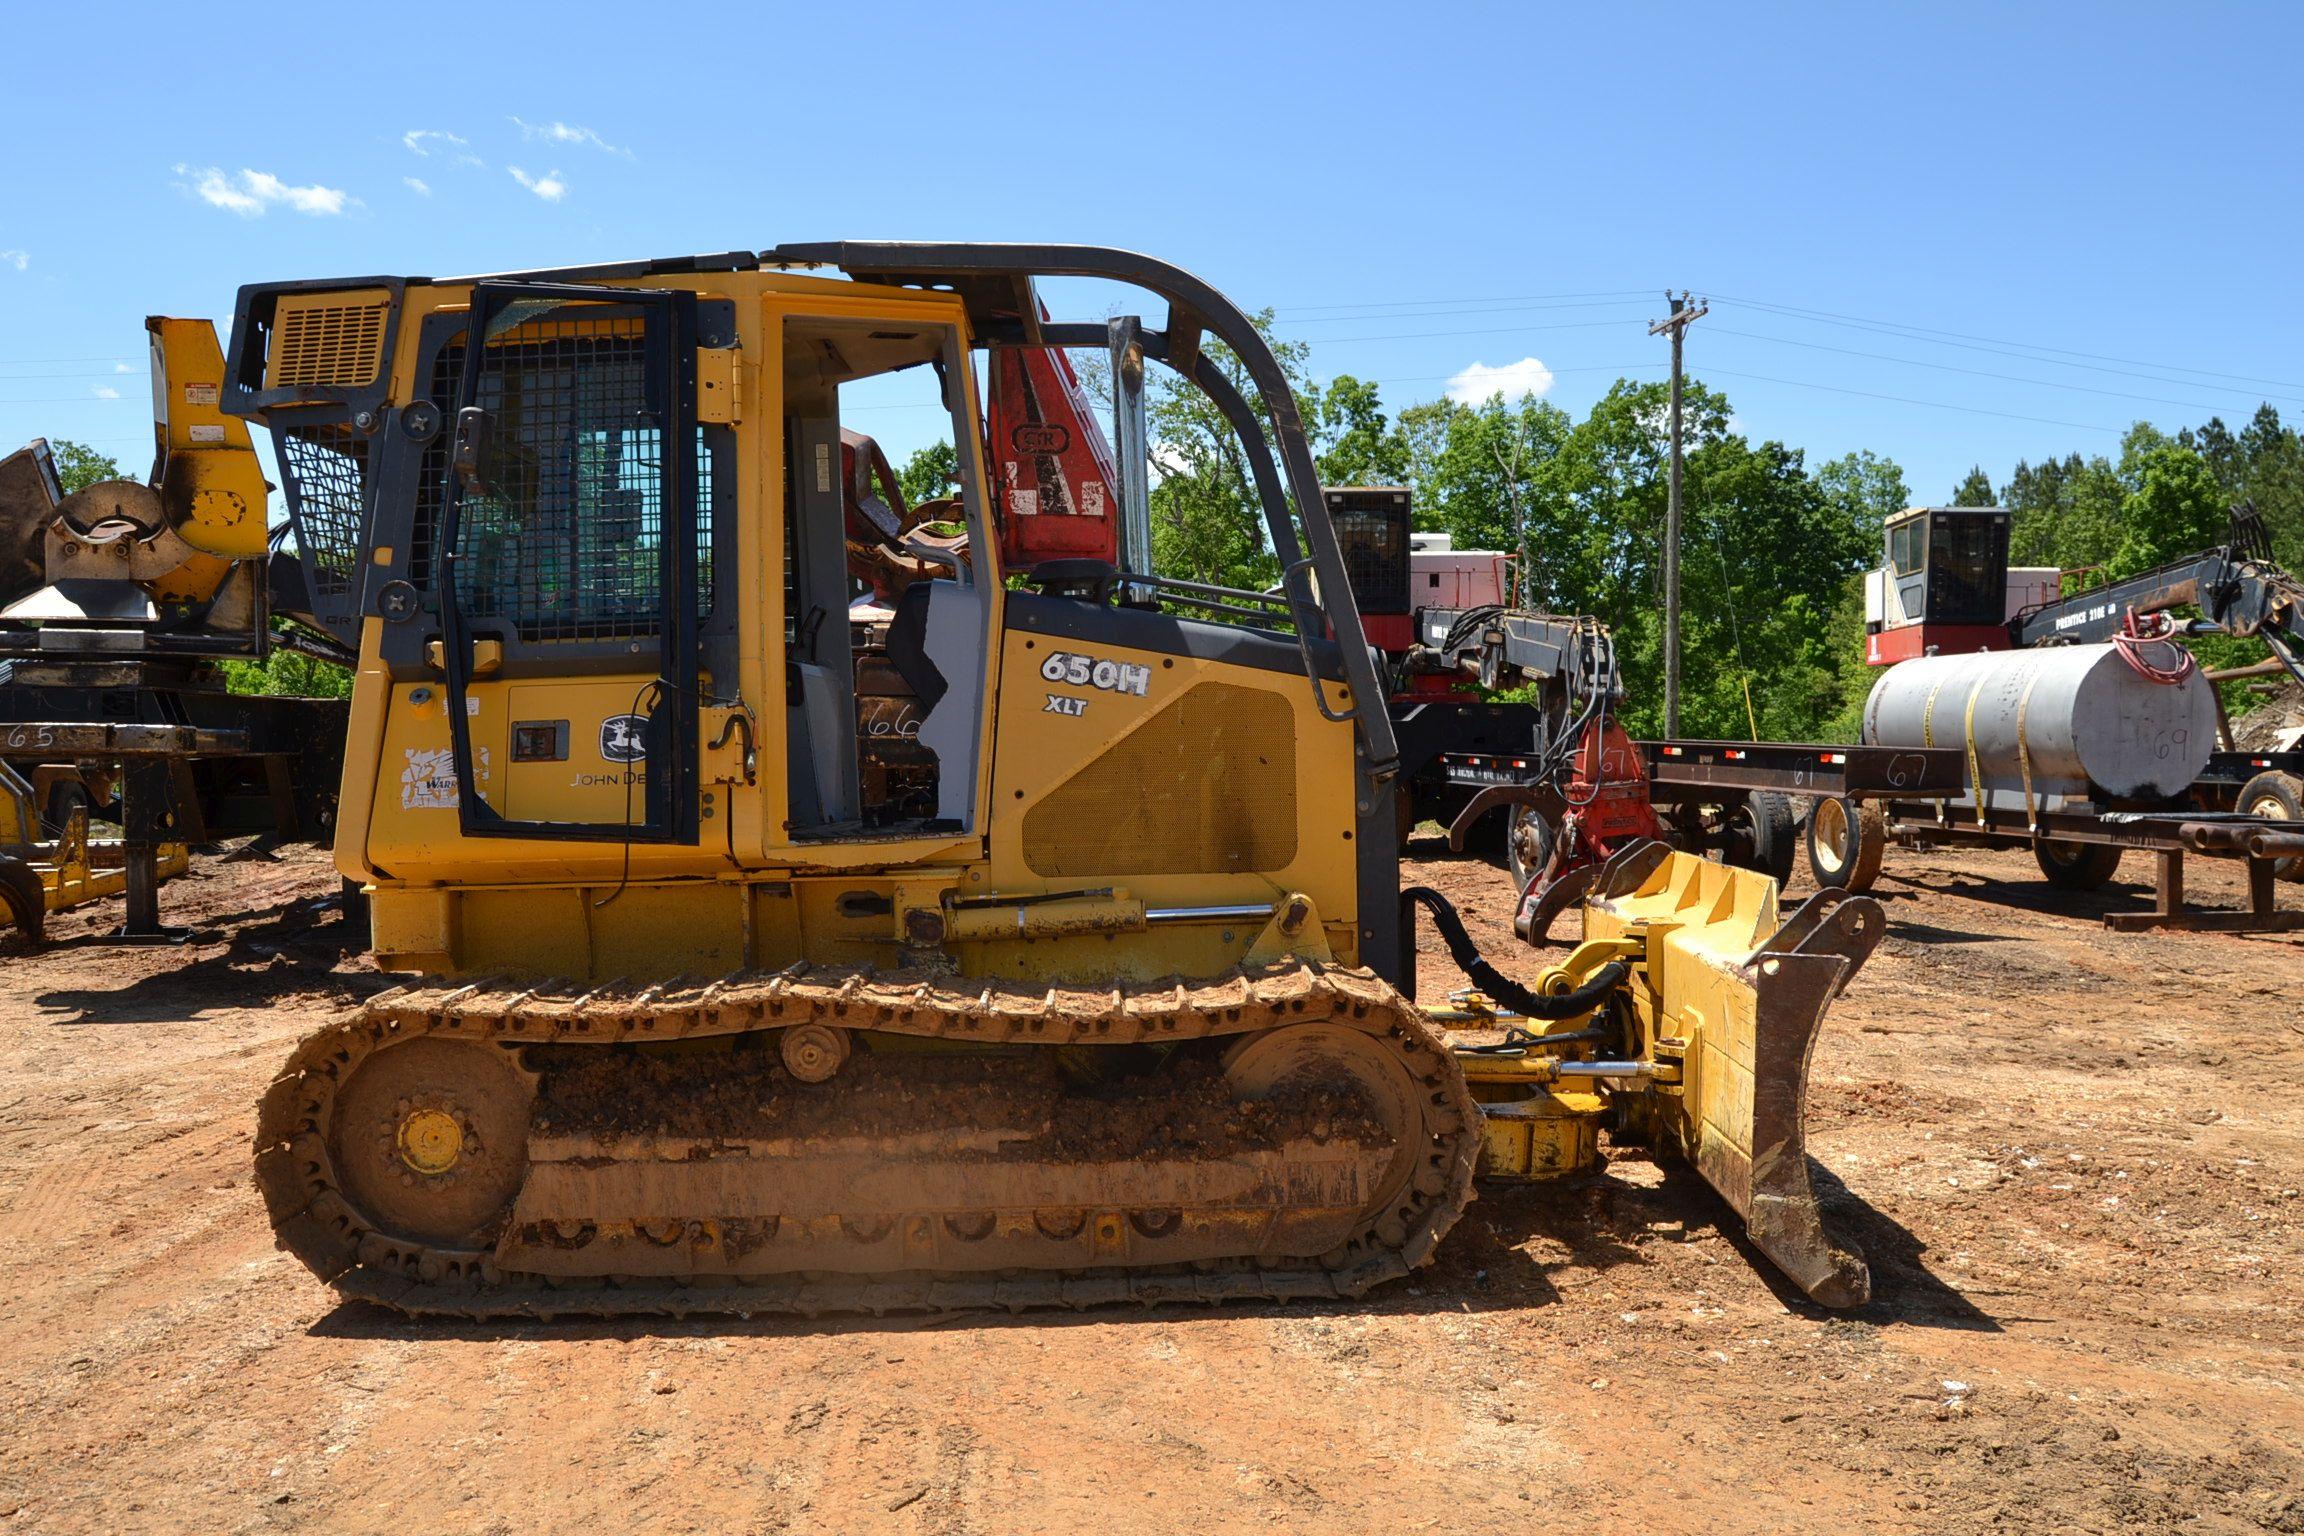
2072 1157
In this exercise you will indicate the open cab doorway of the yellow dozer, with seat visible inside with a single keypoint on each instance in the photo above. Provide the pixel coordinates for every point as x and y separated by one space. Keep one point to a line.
888 602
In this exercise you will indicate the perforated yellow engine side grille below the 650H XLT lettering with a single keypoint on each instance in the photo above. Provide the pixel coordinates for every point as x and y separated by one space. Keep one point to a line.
1204 786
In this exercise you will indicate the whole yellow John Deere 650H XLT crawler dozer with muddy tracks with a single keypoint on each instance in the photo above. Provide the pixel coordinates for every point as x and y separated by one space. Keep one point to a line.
817 908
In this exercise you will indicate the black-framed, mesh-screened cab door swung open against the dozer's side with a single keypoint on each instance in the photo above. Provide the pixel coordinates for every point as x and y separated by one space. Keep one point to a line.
570 519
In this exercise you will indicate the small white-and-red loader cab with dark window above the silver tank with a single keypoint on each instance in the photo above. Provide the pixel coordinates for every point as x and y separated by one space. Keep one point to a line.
1948 586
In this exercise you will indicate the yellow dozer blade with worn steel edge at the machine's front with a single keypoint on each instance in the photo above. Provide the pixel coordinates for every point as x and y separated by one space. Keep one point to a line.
1734 1001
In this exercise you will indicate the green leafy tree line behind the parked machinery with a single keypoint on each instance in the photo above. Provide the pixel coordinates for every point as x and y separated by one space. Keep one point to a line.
1773 547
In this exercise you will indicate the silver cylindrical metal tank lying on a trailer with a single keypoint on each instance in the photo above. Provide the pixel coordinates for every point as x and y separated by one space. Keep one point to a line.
2086 720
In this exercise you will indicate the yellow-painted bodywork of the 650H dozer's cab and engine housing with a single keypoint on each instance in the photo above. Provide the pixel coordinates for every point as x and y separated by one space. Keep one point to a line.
750 892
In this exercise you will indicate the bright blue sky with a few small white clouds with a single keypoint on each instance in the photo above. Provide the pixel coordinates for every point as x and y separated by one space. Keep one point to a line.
1948 234
